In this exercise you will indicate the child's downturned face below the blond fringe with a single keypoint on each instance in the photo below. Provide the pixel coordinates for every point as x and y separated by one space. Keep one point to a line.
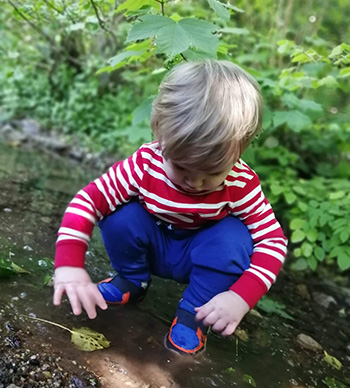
195 181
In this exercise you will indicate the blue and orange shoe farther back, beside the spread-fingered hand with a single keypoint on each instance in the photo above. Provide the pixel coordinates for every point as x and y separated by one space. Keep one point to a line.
118 290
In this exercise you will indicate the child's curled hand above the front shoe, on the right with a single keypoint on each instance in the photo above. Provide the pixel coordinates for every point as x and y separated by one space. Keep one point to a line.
223 313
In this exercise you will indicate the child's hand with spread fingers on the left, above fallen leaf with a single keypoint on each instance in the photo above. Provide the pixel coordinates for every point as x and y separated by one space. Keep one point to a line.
81 292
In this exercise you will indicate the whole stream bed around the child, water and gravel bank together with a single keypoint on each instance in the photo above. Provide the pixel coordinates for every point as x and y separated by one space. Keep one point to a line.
270 348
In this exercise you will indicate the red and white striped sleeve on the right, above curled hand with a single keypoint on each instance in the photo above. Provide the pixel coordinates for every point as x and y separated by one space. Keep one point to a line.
269 242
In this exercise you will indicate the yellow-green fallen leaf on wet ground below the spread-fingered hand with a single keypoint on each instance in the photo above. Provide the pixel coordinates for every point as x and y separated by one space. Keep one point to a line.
89 340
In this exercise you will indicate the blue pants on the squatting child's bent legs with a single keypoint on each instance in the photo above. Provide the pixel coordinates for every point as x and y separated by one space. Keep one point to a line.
209 259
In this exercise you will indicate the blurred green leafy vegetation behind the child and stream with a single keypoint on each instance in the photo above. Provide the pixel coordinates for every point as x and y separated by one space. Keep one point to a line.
89 69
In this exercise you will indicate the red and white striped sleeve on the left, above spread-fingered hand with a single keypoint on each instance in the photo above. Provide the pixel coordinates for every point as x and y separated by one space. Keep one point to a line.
91 204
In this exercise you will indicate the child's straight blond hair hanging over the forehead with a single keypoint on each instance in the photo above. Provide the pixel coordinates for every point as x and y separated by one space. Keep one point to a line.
206 113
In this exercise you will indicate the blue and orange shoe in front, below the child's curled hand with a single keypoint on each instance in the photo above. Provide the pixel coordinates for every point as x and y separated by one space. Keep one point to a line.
186 335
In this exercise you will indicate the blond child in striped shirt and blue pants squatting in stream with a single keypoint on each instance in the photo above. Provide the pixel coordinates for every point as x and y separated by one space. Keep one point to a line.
184 207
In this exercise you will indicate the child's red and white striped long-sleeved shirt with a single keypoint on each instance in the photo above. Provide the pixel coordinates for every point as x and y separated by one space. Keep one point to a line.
142 176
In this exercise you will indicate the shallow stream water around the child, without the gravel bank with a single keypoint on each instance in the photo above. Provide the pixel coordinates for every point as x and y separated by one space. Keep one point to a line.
35 190
